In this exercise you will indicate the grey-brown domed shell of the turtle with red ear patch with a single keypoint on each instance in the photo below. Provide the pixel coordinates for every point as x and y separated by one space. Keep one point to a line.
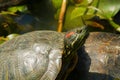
32 56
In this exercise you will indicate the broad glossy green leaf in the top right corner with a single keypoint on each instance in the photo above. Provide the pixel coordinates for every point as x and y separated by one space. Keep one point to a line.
109 7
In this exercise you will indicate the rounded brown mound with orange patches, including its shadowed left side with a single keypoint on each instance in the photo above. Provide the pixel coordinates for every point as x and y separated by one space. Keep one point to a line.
99 58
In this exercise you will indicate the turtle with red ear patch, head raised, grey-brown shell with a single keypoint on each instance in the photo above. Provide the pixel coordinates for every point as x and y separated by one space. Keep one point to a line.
39 55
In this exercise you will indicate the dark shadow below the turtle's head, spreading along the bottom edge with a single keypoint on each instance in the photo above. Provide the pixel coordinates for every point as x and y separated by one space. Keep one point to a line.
81 71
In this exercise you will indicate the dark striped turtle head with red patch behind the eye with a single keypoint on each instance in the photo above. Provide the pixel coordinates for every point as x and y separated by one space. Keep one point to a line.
75 38
